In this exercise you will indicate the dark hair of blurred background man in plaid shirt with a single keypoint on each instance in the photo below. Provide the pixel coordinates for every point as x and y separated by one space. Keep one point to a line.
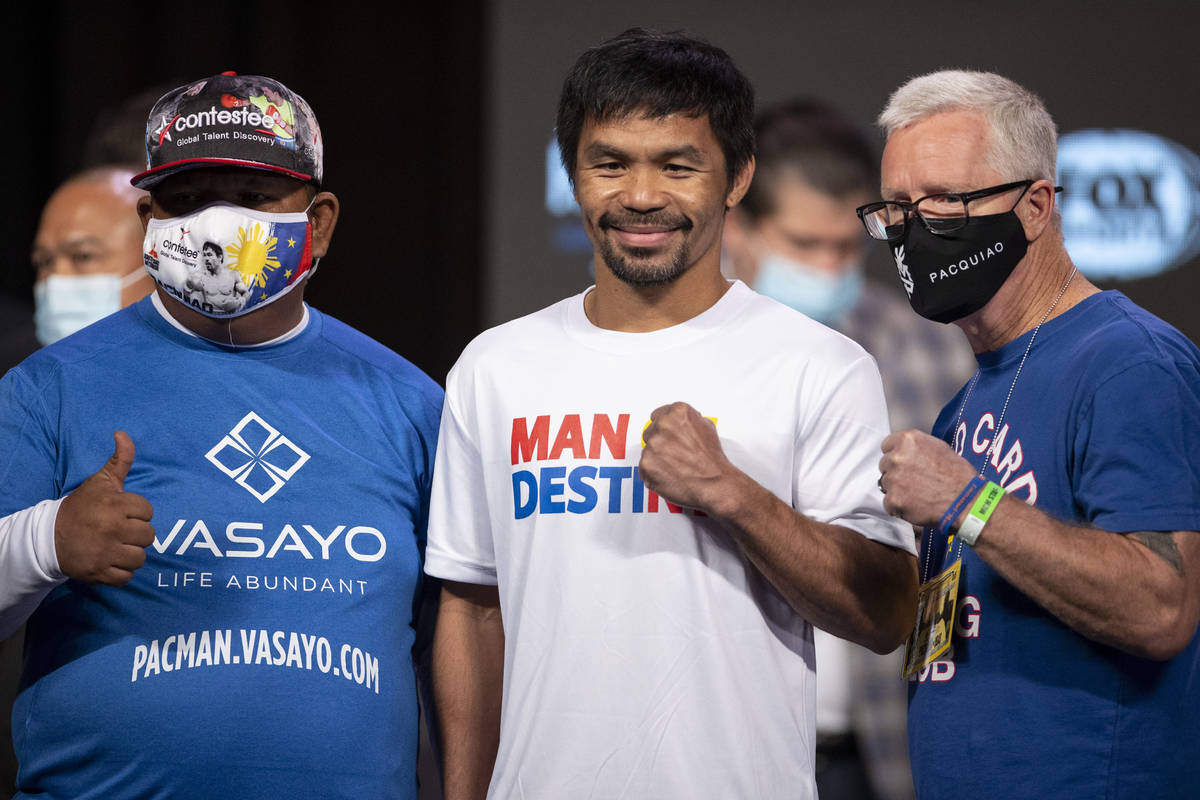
814 142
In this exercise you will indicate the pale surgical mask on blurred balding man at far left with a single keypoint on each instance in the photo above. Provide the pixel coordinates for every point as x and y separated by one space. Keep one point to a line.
64 304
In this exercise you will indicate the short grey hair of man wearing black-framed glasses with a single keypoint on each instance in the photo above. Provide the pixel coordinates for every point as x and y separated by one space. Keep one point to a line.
1023 135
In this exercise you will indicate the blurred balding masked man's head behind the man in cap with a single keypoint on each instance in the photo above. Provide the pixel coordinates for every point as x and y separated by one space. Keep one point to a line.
88 252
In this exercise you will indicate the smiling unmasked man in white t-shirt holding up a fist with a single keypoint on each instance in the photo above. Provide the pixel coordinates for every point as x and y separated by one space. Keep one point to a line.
638 524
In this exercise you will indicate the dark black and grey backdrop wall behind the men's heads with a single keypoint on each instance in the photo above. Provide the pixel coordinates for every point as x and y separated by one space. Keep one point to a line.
436 117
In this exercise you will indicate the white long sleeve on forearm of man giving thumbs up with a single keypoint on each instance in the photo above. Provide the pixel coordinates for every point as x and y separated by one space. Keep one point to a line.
29 567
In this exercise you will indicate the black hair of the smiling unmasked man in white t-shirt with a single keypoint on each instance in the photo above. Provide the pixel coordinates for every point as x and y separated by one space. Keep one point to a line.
657 75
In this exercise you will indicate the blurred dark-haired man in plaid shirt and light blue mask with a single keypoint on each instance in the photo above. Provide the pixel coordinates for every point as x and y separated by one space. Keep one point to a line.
795 238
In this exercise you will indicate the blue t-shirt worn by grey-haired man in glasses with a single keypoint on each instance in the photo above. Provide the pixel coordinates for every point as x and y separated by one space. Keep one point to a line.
1103 430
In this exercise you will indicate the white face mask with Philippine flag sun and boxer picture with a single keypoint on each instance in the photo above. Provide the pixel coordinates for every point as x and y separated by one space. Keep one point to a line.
225 261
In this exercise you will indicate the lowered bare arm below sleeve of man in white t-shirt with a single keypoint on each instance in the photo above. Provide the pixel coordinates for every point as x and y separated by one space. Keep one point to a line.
469 677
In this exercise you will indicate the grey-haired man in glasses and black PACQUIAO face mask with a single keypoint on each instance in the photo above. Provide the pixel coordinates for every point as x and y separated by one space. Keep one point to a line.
1070 467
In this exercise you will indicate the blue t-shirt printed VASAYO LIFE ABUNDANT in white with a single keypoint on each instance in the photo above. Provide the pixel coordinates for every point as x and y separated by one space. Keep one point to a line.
265 649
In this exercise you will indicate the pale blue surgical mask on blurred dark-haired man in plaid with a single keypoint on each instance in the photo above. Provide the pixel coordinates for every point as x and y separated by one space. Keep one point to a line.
820 294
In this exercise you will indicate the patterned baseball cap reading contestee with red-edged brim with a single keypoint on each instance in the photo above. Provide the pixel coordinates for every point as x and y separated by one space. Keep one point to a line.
231 121
